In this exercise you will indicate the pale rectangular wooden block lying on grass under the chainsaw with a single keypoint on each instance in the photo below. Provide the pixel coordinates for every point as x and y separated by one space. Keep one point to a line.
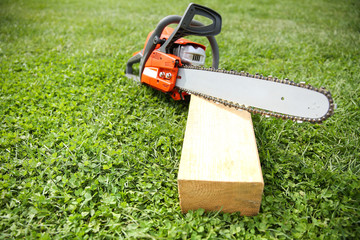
219 166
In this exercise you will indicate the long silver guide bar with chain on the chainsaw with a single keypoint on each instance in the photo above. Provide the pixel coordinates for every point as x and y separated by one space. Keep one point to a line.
303 103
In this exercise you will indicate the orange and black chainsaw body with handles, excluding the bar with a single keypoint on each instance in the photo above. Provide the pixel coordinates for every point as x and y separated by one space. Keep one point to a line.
165 49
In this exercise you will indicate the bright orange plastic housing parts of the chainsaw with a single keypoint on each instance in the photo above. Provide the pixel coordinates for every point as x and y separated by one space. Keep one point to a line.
161 69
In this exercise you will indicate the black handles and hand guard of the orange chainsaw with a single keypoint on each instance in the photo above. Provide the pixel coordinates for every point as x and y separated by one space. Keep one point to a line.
187 26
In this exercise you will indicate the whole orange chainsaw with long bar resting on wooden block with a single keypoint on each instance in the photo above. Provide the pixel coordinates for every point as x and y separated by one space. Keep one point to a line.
175 65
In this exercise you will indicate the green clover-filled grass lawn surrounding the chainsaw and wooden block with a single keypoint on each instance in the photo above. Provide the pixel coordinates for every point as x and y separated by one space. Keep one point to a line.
87 153
